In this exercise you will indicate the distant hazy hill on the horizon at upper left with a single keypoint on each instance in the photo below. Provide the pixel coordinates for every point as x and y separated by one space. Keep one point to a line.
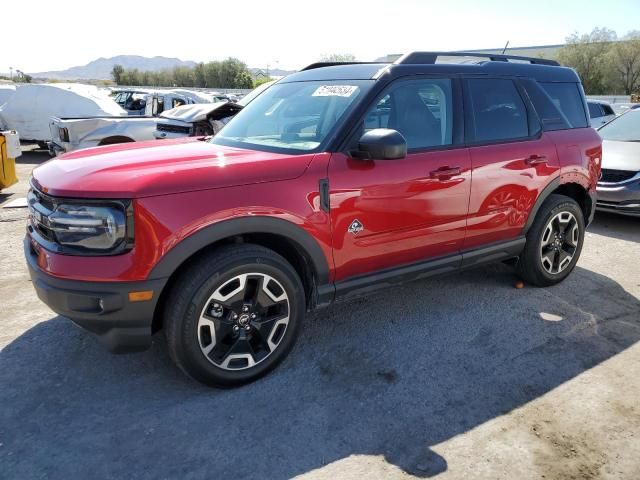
100 69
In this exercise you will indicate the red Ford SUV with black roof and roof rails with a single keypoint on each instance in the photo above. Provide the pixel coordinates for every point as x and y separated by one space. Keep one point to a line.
337 180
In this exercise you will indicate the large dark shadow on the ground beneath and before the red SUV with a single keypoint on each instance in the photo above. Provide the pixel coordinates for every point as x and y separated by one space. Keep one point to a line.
391 375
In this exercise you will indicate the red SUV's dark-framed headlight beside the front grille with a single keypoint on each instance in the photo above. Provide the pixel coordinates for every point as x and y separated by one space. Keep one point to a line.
92 227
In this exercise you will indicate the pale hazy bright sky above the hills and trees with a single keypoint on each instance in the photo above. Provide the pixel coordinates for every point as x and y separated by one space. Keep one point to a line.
56 34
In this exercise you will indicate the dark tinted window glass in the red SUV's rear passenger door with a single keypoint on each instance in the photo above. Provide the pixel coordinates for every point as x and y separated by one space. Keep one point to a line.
498 110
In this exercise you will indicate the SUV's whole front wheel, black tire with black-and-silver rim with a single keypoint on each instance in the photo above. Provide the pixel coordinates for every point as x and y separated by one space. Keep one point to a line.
233 315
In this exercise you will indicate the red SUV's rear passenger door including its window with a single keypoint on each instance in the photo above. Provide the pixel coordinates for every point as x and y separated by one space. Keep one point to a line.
512 160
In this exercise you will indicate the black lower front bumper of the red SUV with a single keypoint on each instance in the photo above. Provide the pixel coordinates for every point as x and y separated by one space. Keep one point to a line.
103 308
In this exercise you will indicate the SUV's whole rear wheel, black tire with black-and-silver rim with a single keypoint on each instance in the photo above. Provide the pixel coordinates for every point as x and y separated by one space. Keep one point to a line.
554 242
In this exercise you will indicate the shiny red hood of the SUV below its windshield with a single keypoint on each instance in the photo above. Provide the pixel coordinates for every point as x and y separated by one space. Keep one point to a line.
161 167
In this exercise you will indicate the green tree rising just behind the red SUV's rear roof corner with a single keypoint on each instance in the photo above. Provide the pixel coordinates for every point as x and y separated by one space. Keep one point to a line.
587 54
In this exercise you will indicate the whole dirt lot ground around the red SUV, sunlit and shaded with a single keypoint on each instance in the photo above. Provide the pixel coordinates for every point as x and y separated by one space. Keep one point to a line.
461 377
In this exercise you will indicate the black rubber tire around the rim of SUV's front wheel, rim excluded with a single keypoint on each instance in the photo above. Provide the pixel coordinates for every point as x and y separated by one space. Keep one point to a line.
187 347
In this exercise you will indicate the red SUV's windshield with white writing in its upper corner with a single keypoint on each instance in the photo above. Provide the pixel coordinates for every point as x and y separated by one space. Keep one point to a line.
292 117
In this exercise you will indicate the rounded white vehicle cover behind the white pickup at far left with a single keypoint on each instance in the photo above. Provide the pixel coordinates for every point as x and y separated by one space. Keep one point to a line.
29 109
